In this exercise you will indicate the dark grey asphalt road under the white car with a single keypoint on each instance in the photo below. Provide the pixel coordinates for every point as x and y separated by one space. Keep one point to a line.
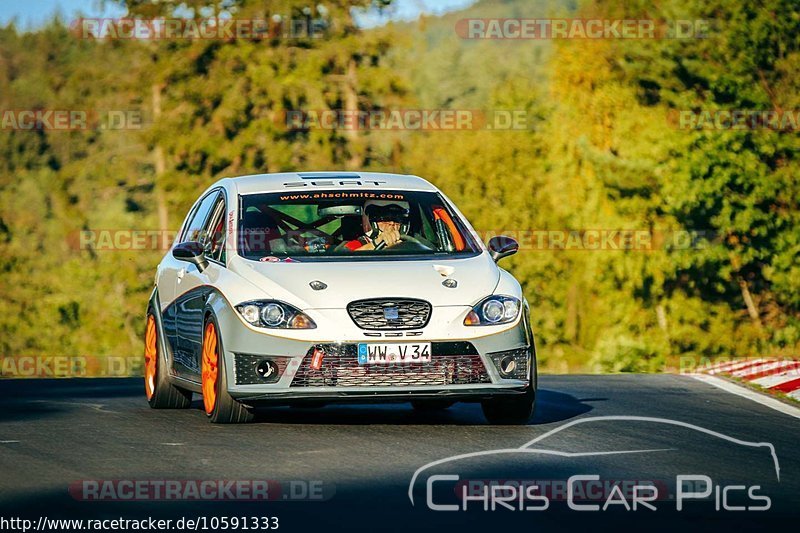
59 436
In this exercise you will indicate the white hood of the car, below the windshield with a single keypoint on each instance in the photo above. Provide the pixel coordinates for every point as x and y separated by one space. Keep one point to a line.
477 277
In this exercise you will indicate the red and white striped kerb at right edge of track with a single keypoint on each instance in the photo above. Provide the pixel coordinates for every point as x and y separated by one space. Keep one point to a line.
771 374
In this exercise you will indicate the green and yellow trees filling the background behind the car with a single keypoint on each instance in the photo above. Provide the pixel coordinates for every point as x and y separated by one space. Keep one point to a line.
602 151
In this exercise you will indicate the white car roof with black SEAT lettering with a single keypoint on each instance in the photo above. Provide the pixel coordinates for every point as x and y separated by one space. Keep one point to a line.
296 181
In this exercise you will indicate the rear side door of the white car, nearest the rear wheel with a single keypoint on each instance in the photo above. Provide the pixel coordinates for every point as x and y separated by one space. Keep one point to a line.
179 314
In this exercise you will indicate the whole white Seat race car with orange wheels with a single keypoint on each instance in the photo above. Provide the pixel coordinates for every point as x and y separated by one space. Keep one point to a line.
293 288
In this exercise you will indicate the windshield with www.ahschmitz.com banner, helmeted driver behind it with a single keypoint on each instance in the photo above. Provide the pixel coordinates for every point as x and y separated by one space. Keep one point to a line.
353 224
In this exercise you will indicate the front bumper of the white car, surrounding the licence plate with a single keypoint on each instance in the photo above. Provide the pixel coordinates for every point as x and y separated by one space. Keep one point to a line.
464 364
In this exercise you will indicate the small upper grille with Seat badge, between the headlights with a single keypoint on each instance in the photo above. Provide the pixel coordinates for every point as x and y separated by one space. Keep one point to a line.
390 313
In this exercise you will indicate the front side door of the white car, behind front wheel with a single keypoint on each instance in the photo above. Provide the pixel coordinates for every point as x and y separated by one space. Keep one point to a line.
196 287
